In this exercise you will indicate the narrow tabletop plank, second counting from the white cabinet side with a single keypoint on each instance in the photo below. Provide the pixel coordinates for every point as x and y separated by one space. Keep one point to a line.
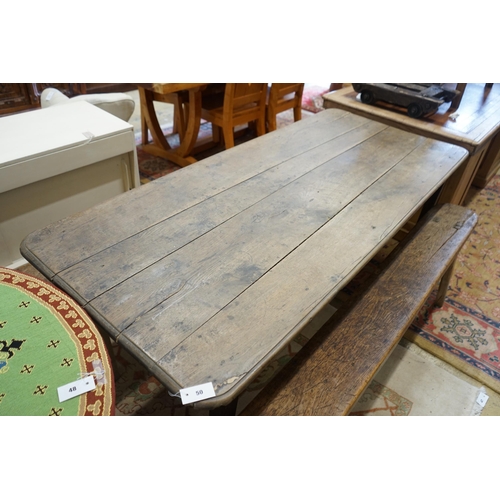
106 269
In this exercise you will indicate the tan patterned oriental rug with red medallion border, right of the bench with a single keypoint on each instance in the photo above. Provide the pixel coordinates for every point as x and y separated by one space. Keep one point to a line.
465 332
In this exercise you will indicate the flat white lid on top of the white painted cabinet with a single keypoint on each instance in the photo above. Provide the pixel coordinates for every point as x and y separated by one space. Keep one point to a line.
49 130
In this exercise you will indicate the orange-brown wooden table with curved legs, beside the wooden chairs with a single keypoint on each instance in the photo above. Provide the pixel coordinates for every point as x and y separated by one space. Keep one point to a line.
149 93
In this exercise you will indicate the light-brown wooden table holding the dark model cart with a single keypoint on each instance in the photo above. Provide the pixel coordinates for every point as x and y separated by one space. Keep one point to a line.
476 128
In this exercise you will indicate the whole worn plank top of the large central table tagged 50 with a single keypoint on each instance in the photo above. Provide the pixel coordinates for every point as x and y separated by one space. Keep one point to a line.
205 274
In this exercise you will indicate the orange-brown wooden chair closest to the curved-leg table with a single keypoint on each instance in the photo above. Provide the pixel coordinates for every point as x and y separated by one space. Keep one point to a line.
239 104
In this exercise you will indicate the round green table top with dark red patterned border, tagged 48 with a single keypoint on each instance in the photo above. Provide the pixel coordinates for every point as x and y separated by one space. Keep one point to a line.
47 341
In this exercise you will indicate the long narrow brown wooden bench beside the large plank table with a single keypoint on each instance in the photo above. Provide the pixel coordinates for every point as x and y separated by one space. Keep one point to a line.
333 369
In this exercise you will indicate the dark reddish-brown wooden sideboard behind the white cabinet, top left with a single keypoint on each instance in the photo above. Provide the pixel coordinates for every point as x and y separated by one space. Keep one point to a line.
15 97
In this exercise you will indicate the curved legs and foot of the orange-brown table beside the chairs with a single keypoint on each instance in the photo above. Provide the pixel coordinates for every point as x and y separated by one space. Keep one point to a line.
160 146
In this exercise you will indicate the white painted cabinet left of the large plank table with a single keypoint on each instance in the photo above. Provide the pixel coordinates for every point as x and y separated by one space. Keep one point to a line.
57 161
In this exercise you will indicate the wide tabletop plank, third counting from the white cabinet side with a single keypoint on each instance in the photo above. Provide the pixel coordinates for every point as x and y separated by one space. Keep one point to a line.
201 278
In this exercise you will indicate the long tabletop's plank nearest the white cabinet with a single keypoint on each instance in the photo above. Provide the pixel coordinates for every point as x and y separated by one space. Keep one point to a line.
149 204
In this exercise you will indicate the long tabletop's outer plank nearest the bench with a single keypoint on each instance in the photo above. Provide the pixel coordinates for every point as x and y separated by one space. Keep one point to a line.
246 333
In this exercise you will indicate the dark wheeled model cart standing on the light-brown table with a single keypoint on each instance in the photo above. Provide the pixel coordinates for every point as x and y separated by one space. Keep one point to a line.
417 98
